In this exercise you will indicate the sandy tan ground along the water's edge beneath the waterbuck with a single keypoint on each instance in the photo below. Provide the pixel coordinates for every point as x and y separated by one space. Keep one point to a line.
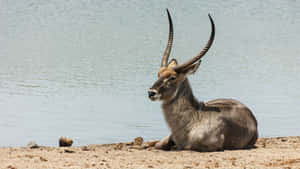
280 152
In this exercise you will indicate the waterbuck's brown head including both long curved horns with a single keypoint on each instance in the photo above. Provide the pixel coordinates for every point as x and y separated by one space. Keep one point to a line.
171 75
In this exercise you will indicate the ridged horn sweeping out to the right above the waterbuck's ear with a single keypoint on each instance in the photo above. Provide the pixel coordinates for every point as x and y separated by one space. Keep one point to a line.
203 52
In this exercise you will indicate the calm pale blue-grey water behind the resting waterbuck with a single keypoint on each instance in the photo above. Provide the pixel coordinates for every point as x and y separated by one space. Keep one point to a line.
81 69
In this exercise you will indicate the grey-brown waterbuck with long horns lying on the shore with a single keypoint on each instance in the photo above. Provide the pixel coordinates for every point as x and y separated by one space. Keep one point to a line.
201 126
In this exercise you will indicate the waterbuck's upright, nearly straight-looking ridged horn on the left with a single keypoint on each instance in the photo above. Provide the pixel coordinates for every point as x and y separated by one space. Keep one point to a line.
165 58
